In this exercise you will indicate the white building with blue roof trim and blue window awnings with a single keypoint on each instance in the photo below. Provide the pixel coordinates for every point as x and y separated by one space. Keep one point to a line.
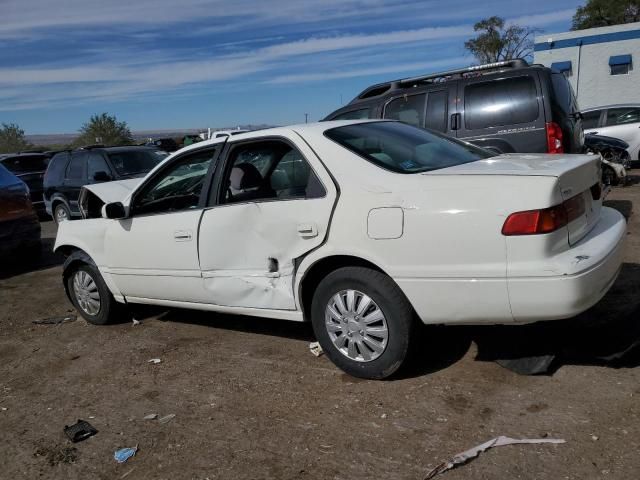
599 62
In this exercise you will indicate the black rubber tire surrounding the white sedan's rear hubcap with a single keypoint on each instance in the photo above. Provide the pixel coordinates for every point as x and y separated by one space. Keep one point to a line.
398 313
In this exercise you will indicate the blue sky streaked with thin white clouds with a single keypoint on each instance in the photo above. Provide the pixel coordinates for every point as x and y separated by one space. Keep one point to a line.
162 64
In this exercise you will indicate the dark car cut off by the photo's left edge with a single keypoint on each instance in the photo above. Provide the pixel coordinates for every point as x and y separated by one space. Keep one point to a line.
19 225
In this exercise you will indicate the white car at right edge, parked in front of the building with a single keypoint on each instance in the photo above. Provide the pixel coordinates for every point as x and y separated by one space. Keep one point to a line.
618 121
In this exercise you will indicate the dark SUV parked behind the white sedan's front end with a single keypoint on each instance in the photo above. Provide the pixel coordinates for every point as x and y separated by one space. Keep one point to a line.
69 171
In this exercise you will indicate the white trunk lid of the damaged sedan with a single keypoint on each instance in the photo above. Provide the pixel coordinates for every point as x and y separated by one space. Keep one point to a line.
578 181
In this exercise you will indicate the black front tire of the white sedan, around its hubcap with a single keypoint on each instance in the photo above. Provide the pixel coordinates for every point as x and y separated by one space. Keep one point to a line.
109 311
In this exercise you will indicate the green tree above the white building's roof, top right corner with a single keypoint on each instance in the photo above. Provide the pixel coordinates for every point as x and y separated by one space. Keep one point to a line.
600 13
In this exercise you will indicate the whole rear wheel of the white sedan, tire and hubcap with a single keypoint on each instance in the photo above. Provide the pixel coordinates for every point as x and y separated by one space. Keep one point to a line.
363 322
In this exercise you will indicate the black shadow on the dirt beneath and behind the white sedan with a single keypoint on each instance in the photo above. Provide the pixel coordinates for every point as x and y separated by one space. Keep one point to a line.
606 335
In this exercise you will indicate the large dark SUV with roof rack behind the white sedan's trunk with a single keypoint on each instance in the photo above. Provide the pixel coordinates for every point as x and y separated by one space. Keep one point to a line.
506 106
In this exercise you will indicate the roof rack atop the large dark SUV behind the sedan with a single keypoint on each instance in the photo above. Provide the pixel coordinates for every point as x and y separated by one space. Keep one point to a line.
439 77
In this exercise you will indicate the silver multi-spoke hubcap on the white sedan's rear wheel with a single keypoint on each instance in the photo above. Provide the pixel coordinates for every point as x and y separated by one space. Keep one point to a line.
356 325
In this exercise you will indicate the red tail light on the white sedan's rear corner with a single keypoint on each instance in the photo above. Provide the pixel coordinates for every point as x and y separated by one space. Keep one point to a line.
546 220
